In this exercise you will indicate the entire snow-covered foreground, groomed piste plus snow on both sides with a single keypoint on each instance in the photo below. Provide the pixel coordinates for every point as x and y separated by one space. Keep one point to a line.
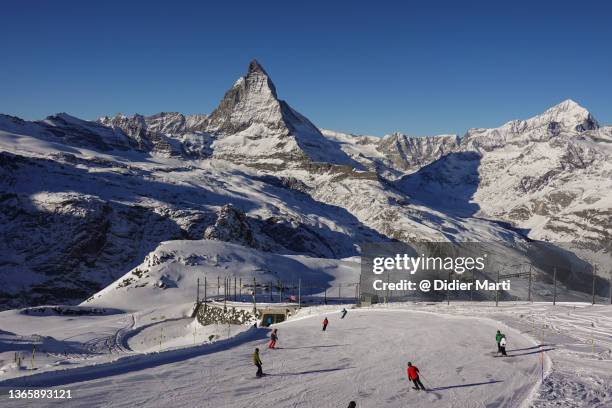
361 358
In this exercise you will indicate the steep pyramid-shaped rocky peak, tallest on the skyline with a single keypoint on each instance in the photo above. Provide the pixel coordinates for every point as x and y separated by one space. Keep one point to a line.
251 123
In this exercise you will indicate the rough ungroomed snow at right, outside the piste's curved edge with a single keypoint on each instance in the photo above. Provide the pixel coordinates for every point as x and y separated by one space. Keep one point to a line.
578 338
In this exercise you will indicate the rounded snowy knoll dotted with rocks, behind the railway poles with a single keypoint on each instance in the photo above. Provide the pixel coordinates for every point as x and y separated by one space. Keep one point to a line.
169 275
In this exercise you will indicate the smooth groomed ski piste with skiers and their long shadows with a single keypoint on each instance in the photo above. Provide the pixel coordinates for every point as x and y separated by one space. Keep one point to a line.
361 358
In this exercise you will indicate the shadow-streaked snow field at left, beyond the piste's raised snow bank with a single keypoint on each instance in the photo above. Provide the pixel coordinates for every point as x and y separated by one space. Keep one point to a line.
71 341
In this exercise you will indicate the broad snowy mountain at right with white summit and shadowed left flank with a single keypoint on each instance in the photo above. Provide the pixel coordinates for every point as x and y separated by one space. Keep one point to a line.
550 175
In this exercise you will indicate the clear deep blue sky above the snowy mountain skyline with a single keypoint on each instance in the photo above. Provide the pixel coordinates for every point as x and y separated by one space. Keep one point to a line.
422 68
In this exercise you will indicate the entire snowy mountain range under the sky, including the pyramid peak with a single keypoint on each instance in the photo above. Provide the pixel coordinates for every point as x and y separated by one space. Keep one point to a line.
84 202
